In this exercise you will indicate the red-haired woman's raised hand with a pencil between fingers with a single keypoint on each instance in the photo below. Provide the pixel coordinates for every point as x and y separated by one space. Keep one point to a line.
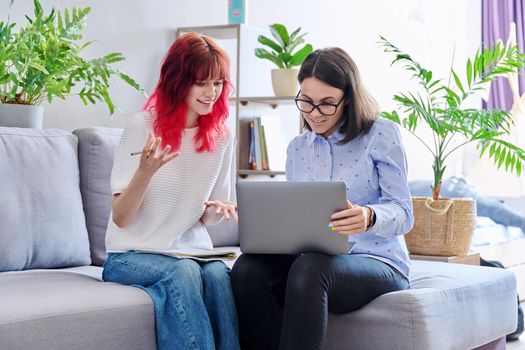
153 158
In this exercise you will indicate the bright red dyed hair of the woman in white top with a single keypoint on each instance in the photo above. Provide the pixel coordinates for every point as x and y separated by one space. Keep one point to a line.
191 58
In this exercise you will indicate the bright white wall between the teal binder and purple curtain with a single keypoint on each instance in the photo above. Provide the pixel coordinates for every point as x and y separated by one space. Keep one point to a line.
429 30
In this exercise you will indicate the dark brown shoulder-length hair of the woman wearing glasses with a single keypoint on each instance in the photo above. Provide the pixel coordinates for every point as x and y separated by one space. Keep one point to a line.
333 66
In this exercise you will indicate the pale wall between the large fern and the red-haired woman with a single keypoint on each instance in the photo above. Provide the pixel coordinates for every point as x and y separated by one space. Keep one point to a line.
141 30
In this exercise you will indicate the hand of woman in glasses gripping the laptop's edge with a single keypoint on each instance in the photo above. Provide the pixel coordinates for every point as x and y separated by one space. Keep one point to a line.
353 219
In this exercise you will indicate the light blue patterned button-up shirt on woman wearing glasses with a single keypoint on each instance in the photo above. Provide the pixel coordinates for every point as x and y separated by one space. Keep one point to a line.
374 168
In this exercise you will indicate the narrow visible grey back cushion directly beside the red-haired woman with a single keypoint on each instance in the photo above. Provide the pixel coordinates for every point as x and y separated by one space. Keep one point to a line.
96 147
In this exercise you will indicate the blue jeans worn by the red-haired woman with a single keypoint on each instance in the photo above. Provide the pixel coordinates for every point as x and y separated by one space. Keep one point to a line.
194 305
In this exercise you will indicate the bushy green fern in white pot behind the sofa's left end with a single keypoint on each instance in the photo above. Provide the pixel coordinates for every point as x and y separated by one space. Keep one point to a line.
41 61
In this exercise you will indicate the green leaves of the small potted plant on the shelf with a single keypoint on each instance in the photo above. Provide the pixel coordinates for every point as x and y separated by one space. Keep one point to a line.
282 49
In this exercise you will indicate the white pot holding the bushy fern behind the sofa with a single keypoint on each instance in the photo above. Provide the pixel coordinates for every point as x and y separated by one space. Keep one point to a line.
21 116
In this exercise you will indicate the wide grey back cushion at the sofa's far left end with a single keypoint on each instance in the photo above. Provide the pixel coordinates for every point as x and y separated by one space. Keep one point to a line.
42 224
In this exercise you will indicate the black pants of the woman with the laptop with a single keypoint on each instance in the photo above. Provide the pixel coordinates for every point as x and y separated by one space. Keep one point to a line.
283 300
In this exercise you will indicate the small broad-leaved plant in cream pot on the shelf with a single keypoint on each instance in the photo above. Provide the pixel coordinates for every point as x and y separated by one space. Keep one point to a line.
285 54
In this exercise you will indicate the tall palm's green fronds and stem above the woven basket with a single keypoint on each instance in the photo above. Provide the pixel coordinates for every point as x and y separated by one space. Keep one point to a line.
440 107
